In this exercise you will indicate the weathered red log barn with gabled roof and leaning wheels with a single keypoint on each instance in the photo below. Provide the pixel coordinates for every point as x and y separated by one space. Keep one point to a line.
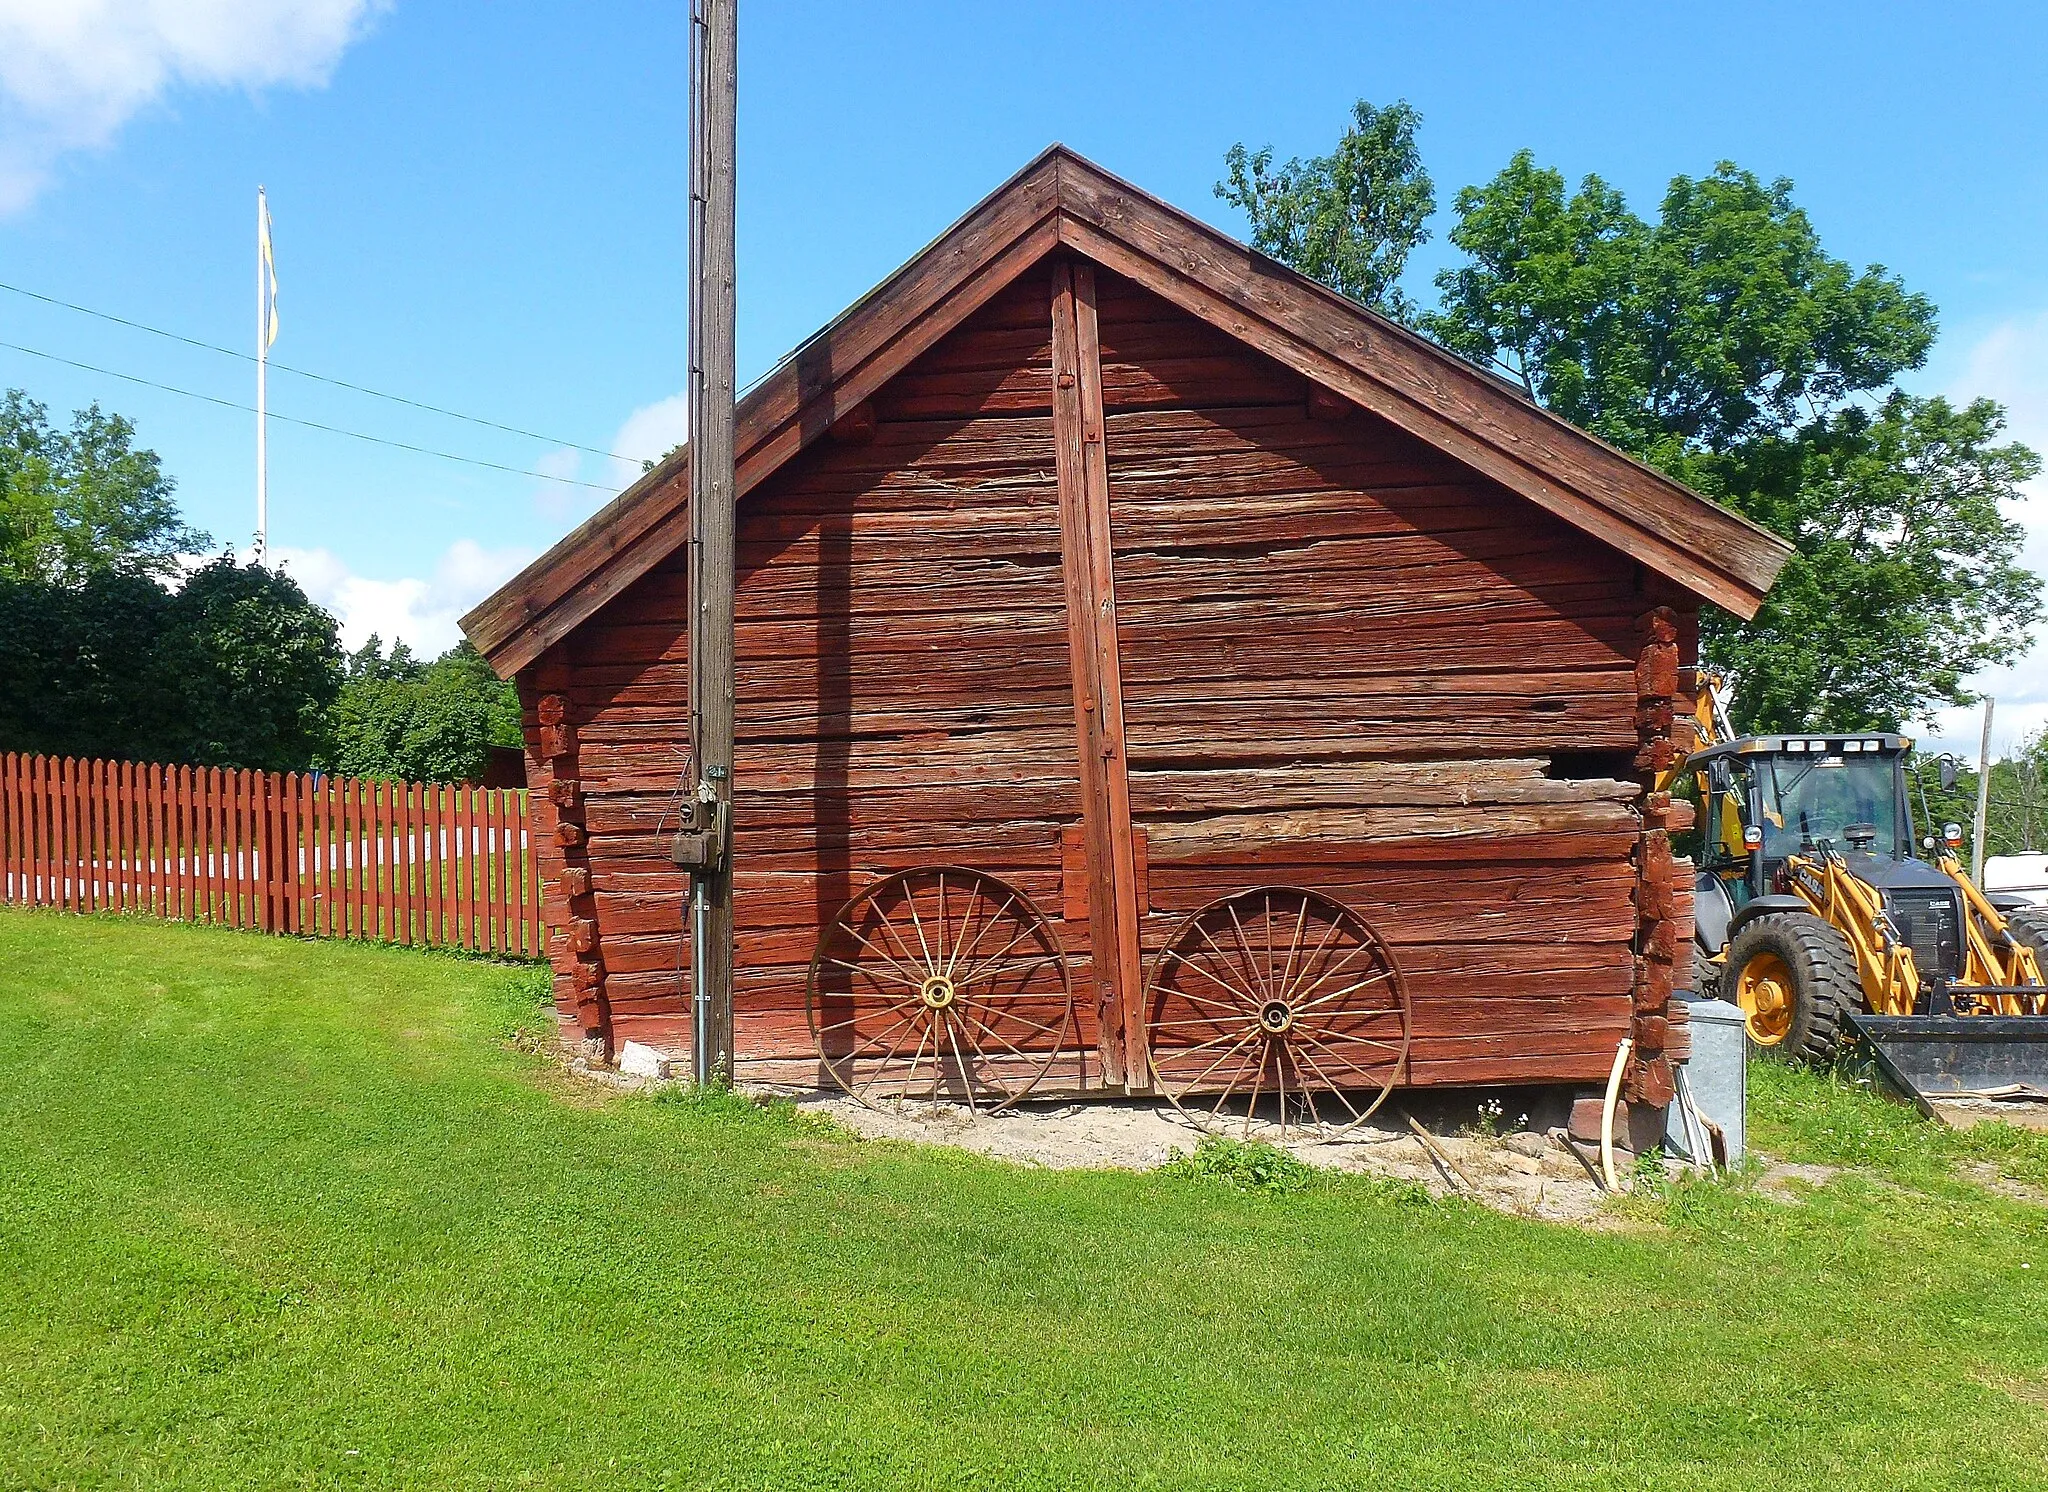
1154 674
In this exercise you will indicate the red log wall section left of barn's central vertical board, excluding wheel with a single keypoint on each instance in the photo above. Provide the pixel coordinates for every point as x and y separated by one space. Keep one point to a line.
902 683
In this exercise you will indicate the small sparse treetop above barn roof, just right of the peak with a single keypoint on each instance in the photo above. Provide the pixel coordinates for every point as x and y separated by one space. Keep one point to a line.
1351 218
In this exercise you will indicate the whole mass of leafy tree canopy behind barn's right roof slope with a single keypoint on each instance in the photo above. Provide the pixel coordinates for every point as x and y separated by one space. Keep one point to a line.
1725 347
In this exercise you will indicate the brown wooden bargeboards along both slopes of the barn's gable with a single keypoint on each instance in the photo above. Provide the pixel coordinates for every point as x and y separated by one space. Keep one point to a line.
1066 202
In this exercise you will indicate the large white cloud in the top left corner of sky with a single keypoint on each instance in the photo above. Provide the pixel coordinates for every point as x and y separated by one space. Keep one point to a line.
75 71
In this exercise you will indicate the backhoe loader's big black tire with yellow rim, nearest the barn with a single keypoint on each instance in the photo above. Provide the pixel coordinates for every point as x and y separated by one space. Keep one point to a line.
1795 977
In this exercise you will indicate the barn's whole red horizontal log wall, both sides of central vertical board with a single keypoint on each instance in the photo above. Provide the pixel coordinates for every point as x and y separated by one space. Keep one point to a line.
1347 660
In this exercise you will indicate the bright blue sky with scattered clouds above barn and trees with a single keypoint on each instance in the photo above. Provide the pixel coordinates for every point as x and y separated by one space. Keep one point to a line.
482 206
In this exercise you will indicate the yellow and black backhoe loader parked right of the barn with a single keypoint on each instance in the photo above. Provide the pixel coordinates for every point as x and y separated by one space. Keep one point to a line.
1816 916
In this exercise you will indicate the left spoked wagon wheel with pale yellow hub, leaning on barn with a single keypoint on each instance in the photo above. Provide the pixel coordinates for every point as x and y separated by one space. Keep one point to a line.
939 985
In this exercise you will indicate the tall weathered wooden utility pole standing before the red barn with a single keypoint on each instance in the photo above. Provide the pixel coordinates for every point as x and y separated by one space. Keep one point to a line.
708 852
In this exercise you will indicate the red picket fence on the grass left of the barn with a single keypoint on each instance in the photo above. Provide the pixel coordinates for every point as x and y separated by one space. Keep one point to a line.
316 857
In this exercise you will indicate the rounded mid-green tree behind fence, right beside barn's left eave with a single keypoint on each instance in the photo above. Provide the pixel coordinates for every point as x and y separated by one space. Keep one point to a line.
421 721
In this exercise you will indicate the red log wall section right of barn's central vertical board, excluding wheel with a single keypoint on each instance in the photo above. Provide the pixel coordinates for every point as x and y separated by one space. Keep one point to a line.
1347 660
